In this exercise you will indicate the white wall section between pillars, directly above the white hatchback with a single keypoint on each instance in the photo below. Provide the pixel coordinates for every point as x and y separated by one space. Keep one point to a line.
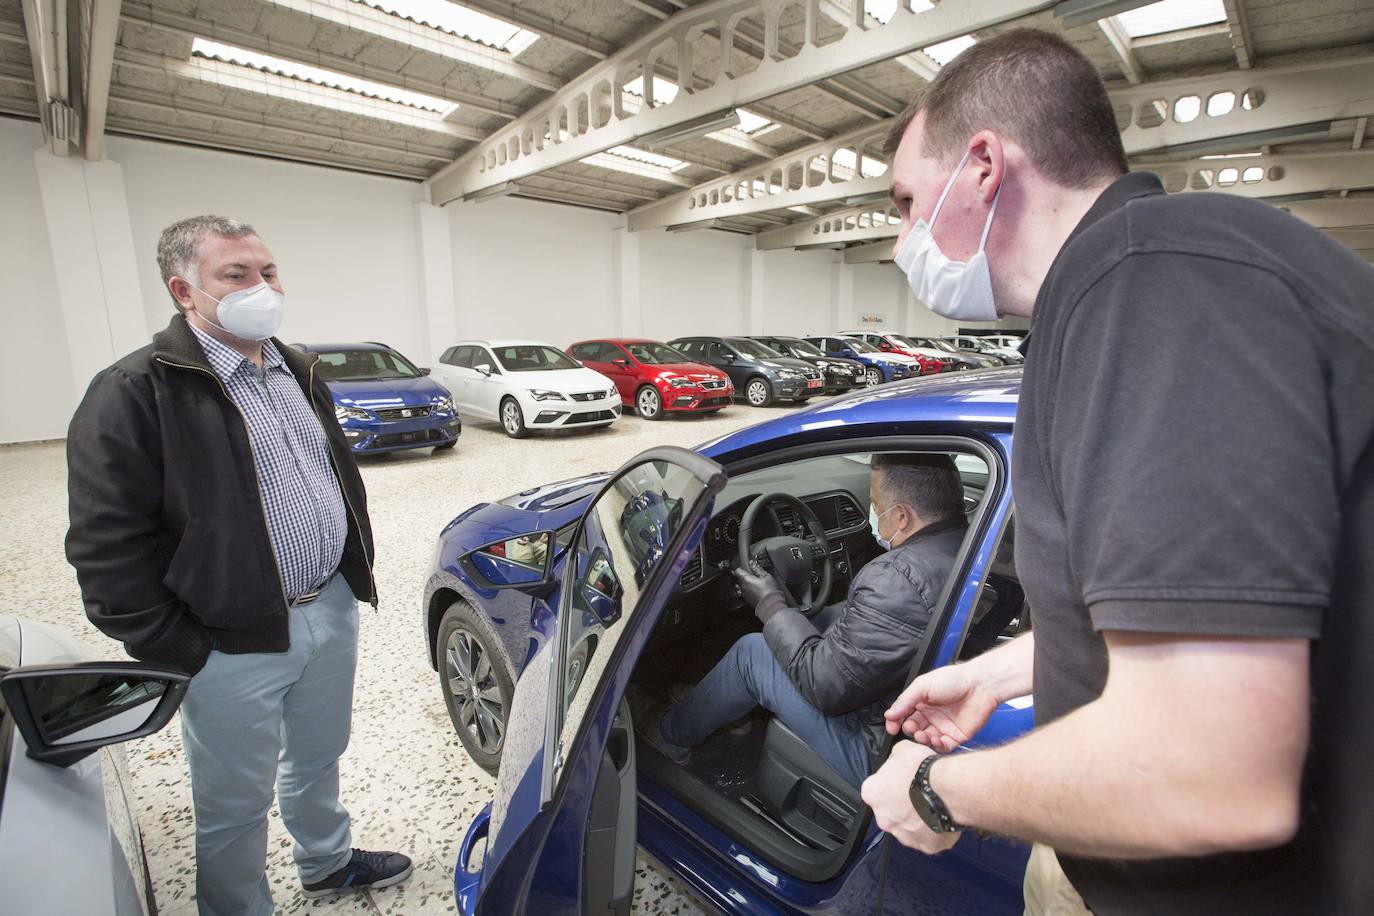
532 270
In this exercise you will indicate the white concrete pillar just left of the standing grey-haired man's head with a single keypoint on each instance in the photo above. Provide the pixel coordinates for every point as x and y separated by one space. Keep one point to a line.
93 251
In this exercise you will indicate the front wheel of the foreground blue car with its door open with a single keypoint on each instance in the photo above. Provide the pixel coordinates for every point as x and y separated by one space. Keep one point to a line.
476 685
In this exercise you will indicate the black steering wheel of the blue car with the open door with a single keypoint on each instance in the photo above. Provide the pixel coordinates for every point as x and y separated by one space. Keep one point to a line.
791 560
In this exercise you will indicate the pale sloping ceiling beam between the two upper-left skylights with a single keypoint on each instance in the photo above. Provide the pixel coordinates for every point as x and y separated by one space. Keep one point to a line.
365 20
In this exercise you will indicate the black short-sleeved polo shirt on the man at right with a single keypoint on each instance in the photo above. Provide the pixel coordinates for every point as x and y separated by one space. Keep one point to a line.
1193 455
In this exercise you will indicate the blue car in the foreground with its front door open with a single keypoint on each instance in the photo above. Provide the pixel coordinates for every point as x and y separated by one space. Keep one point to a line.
548 612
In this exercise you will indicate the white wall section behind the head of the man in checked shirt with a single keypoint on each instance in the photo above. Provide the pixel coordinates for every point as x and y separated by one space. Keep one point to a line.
346 244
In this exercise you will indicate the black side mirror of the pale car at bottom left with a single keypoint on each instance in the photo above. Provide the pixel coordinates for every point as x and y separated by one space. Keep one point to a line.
68 712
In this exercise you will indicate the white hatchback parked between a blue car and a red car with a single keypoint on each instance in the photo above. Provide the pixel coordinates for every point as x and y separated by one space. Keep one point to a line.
526 385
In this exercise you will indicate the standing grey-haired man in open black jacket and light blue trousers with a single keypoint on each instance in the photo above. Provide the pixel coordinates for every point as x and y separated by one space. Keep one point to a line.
219 527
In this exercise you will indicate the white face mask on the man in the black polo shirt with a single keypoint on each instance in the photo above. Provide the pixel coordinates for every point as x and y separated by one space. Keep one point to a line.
960 290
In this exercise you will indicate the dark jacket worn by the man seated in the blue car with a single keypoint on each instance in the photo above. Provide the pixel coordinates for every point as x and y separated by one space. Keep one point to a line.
864 660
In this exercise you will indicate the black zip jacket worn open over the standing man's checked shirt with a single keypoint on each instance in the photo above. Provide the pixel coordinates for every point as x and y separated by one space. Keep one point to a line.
168 535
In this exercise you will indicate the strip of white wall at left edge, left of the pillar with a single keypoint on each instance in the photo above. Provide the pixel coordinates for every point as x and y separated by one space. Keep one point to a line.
38 388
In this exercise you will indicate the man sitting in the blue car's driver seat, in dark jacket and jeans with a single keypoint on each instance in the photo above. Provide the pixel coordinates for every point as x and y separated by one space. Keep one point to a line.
831 676
